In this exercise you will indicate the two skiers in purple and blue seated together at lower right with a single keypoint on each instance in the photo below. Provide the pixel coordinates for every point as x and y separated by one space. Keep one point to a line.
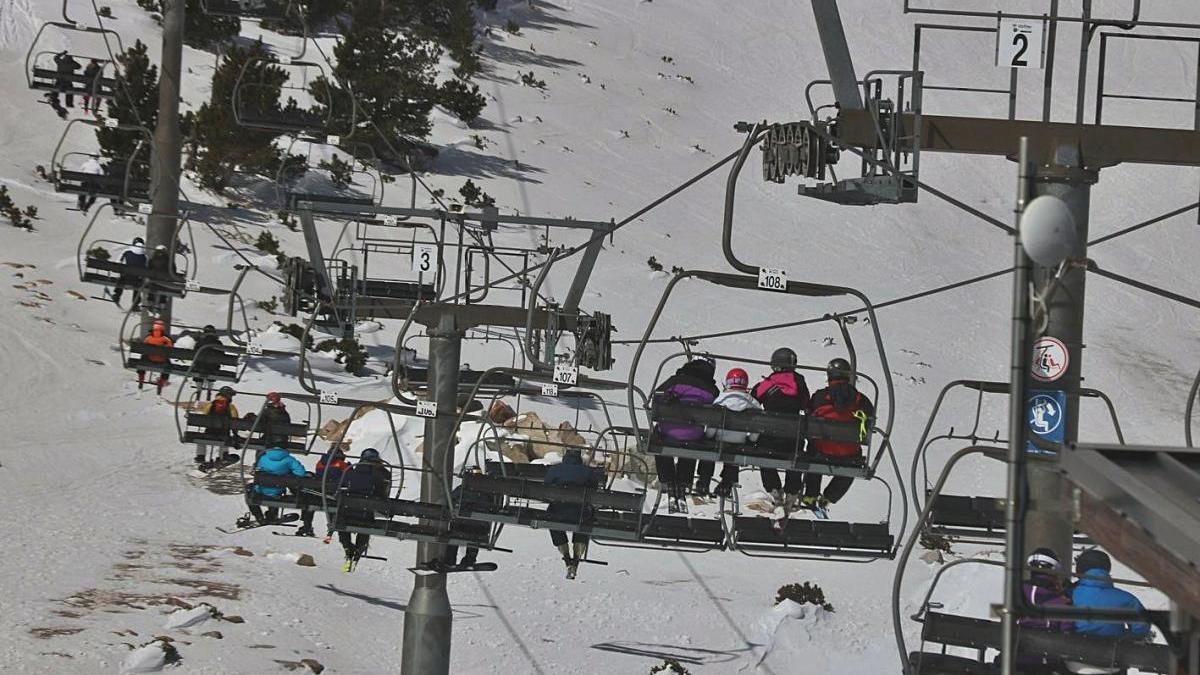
1094 590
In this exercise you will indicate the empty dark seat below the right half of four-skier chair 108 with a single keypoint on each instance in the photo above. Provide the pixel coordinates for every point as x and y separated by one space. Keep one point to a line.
820 537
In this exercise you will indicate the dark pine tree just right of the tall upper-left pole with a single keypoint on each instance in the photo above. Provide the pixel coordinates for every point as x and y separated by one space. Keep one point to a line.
220 146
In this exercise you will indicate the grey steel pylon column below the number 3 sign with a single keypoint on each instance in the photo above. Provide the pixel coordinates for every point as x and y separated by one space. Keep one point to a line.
428 618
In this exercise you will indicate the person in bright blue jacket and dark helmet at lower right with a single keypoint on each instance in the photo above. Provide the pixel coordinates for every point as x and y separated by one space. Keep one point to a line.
1095 590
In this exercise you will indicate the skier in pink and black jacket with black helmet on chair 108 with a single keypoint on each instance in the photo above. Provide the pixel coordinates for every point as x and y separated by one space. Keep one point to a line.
783 391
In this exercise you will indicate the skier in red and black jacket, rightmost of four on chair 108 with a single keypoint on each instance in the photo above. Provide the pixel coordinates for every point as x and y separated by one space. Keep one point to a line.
838 402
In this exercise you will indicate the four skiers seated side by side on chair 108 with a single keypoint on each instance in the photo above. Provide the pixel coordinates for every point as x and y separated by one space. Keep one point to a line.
784 391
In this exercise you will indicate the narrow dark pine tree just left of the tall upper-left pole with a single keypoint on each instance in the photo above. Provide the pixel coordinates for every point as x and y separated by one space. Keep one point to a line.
136 105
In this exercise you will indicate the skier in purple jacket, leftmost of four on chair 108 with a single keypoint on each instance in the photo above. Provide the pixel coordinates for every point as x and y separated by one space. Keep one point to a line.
693 384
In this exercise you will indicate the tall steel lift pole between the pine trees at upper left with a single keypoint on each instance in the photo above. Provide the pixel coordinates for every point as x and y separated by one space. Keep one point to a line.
169 147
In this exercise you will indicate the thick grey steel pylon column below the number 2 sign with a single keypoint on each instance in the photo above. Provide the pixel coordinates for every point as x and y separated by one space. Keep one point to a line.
1048 524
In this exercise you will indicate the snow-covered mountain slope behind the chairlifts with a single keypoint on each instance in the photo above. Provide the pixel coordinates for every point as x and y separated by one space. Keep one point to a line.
107 533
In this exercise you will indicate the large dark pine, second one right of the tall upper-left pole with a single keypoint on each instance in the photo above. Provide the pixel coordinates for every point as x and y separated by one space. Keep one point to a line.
392 76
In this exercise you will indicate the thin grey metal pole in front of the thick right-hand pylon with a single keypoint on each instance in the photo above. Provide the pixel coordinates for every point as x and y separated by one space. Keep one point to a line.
1021 357
